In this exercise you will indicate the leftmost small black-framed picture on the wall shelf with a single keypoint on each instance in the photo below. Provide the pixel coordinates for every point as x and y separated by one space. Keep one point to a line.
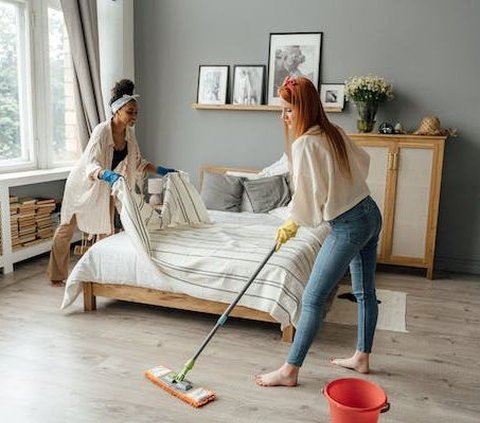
212 84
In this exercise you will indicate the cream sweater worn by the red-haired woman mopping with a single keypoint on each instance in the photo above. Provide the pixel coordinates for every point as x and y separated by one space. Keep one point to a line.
321 191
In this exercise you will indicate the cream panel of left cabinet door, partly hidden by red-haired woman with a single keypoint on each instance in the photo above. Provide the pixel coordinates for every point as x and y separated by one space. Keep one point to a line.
377 180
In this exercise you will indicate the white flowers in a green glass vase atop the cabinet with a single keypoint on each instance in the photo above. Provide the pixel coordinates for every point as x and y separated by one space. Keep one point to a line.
367 92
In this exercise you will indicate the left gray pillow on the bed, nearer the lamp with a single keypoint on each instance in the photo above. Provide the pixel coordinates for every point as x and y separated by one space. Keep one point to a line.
222 192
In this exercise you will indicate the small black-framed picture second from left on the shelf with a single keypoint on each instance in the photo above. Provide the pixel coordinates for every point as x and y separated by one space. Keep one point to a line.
248 84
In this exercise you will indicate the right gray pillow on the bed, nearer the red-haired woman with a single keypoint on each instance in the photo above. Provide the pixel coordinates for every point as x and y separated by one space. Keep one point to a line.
266 194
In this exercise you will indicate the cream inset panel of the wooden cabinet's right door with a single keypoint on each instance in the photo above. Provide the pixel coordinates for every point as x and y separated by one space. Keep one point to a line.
412 197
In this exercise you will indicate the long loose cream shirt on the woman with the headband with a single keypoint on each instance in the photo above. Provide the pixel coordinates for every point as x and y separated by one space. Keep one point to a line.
87 197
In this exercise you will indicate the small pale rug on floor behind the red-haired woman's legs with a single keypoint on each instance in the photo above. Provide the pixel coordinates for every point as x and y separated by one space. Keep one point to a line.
392 310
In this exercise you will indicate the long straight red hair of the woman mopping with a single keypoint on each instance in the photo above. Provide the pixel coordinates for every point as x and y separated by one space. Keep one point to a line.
307 107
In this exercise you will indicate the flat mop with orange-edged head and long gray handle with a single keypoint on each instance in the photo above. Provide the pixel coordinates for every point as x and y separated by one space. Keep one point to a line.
175 383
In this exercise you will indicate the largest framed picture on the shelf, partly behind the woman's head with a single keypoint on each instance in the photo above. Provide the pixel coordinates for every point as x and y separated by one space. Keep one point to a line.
292 54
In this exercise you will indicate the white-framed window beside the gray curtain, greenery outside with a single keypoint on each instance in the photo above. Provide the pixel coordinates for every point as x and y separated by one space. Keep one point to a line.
37 111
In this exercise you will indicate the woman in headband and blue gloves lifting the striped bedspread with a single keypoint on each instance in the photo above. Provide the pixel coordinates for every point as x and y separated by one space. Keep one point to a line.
112 152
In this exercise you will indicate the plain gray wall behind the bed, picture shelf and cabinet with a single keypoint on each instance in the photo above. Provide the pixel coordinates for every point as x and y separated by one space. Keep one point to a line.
428 49
